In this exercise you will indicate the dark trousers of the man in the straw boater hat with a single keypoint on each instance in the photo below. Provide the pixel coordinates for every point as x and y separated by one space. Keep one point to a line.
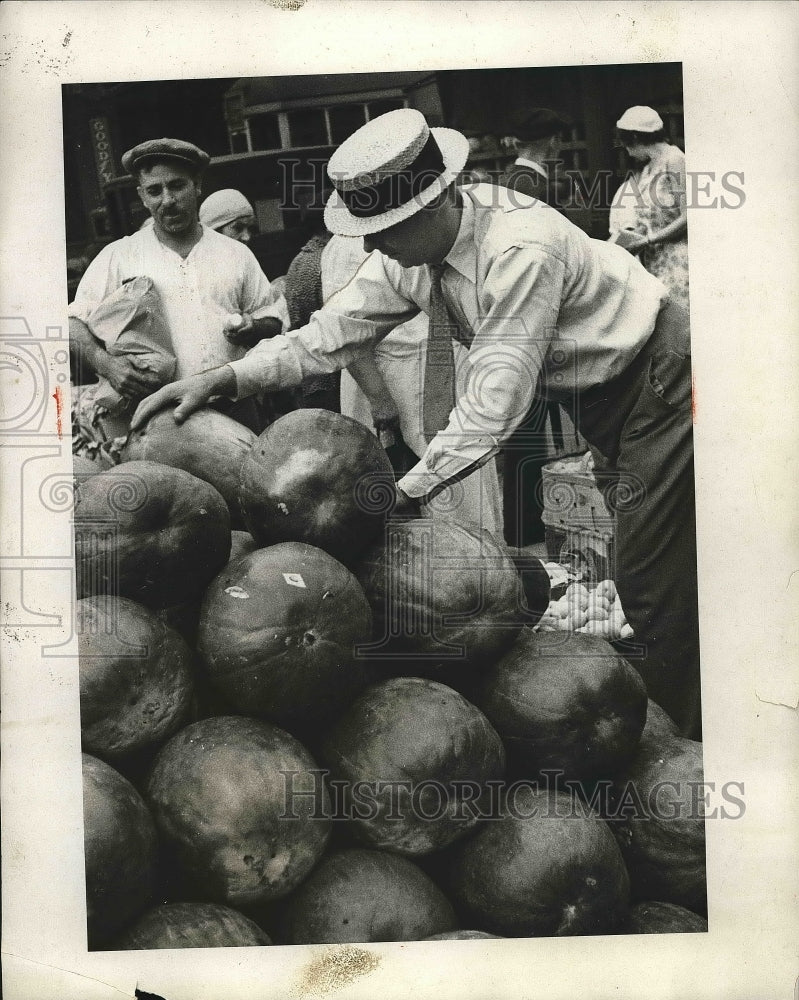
640 428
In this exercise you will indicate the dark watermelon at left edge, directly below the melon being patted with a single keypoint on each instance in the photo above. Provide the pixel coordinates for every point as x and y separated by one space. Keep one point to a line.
149 532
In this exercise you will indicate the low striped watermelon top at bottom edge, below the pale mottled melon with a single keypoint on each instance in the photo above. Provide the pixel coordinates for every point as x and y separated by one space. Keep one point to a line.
192 925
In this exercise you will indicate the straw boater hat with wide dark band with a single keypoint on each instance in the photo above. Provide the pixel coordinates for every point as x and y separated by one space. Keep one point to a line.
390 169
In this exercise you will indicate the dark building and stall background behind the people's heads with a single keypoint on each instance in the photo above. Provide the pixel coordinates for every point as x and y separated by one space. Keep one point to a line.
263 133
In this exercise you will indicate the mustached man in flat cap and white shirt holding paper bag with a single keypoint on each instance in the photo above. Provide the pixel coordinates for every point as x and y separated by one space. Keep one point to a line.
216 300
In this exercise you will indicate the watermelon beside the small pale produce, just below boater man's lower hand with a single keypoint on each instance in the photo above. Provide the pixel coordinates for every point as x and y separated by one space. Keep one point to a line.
441 595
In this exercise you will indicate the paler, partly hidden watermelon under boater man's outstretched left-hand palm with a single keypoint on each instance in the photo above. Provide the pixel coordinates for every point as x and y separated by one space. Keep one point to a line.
208 444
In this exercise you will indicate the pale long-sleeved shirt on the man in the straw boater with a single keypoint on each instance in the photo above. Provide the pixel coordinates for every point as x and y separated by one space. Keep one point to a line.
530 291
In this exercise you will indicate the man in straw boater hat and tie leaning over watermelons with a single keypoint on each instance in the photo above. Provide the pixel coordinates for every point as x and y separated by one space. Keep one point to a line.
529 293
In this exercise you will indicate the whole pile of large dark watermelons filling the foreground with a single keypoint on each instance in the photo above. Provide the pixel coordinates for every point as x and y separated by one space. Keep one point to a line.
307 721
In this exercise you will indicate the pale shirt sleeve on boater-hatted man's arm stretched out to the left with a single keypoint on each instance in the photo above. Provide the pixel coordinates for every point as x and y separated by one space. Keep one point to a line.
359 315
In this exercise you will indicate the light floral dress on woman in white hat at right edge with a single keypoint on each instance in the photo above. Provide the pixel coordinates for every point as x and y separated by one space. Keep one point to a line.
647 202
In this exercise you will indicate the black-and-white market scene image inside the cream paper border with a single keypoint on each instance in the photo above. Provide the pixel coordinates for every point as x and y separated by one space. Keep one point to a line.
466 680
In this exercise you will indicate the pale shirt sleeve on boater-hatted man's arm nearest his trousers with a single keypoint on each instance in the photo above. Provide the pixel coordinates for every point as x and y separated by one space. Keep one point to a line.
520 299
